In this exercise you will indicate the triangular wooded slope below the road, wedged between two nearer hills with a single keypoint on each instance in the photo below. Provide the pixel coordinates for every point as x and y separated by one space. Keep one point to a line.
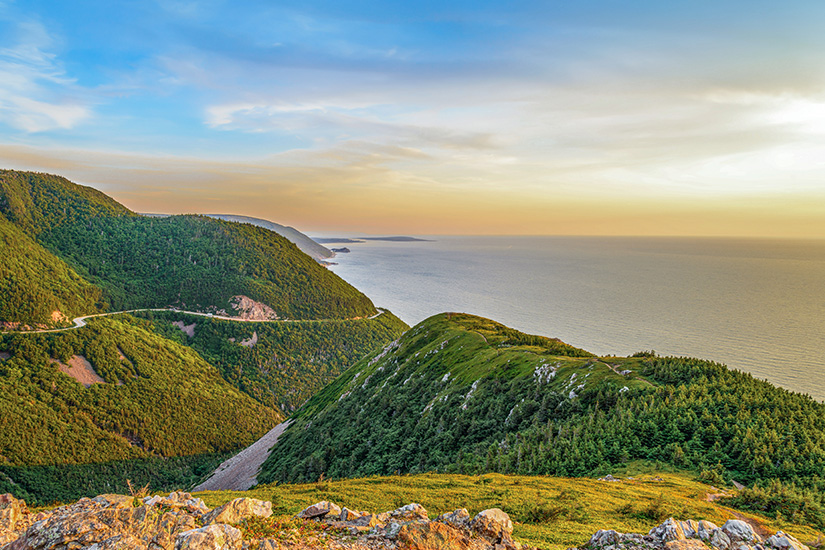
280 364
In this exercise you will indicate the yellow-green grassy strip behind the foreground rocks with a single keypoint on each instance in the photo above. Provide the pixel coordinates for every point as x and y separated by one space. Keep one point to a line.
548 512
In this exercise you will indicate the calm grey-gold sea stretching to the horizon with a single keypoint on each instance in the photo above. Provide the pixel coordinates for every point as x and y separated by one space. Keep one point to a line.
755 305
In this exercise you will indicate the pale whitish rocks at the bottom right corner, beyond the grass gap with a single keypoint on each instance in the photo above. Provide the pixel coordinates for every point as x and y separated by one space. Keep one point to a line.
692 535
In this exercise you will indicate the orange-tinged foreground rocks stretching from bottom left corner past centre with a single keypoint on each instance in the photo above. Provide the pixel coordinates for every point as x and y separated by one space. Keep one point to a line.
180 522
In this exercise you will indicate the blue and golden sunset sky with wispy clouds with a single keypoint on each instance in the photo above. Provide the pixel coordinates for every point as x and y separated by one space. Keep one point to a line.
594 117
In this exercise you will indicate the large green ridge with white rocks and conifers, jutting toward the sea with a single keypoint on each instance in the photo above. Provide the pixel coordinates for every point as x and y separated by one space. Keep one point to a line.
462 394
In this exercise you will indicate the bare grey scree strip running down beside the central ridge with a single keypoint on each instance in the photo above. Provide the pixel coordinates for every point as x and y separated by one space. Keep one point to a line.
240 472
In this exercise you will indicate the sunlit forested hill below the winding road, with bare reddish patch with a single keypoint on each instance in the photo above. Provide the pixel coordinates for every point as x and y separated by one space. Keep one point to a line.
157 412
